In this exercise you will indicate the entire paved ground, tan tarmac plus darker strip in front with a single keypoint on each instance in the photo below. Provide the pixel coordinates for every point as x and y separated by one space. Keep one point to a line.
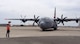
34 35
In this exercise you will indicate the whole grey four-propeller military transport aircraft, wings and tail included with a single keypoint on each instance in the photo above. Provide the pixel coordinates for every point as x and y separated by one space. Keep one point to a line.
46 23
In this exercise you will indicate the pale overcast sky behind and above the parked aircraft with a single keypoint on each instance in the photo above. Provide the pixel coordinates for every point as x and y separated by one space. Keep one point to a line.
42 8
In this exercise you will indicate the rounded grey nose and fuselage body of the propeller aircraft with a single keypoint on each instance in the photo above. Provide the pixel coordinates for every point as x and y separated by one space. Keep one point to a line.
46 23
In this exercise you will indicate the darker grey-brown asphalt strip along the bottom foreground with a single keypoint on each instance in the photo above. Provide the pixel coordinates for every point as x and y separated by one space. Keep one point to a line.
42 40
